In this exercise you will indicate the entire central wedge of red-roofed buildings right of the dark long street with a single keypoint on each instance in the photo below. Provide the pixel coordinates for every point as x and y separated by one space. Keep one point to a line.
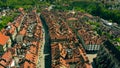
66 51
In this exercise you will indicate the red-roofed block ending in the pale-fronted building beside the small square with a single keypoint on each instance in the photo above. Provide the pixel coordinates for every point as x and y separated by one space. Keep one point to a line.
77 21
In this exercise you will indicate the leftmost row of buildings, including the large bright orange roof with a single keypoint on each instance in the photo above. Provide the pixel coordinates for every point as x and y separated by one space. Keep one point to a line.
9 32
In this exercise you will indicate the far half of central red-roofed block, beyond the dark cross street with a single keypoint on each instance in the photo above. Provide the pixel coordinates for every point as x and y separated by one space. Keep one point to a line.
57 28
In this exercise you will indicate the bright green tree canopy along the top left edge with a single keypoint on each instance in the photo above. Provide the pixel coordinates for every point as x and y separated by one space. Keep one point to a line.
18 3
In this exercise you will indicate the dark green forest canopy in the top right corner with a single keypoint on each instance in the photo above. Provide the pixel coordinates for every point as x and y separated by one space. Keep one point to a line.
97 9
